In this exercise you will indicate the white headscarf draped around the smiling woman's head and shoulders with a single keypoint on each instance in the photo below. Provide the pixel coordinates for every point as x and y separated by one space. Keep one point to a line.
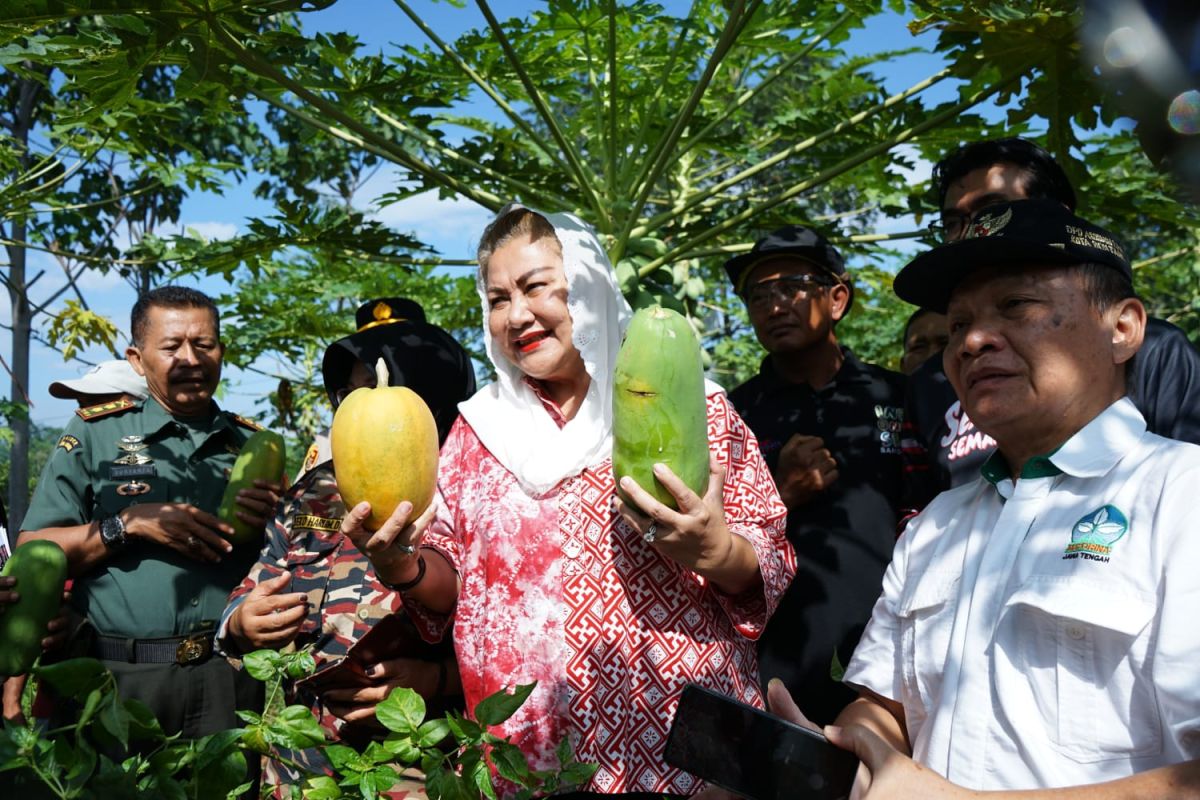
507 416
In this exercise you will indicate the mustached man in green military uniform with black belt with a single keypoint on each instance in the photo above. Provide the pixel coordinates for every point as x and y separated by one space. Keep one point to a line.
130 495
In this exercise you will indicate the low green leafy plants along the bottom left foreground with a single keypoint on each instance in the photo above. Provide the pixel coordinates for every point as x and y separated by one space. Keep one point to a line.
117 749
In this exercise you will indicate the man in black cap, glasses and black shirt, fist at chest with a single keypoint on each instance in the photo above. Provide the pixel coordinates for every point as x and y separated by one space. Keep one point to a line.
830 429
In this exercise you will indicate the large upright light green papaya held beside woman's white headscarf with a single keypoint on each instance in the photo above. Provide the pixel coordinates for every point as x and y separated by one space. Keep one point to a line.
658 405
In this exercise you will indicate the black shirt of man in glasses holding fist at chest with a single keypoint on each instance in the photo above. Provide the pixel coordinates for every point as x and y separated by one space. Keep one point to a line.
844 538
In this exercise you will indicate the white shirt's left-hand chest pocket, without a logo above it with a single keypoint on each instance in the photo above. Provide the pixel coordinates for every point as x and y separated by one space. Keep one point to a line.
927 618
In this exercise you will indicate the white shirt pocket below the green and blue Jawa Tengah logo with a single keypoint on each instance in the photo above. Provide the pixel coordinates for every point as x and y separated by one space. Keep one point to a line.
1085 655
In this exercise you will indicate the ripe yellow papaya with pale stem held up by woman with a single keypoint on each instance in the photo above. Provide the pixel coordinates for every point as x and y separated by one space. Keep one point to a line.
386 449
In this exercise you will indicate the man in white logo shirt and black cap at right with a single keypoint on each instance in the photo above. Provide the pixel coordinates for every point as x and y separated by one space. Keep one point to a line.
1037 627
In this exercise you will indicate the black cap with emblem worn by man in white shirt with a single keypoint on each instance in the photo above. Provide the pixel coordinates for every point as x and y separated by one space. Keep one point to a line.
1019 233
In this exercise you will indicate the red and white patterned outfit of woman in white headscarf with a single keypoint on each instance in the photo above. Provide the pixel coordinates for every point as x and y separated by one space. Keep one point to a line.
557 590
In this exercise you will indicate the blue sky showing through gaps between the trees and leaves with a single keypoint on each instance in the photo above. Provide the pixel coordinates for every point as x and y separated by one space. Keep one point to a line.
452 227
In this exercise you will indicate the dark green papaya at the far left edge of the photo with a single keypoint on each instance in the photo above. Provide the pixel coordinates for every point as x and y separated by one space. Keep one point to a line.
41 570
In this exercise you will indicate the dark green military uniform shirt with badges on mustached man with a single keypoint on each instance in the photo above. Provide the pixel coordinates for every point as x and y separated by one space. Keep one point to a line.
147 591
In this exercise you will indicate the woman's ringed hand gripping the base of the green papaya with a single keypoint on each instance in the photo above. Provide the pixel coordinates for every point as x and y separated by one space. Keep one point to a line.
697 536
